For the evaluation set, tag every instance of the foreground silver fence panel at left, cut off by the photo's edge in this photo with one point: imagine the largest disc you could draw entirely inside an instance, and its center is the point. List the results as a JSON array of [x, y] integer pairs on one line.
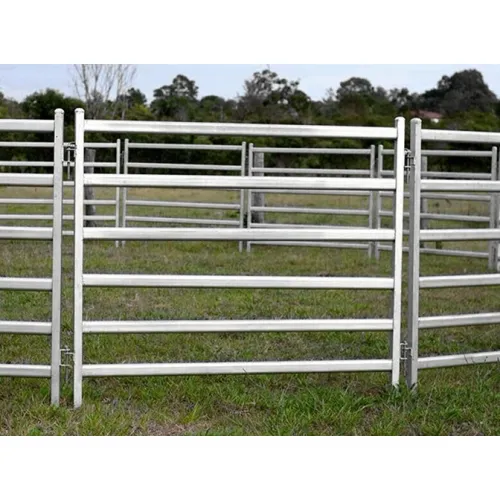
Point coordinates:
[[54, 234]]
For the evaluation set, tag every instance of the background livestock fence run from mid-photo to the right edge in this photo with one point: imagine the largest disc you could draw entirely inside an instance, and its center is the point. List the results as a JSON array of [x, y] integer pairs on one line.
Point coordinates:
[[375, 212]]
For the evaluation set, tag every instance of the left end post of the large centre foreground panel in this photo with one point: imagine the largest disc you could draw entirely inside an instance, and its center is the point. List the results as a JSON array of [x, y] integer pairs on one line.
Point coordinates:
[[79, 200]]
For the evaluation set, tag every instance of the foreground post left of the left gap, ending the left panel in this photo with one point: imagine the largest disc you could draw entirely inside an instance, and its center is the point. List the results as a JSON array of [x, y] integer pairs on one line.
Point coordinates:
[[57, 229]]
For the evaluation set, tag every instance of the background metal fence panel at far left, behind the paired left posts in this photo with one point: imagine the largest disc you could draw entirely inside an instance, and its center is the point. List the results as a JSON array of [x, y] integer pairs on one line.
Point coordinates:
[[15, 165]]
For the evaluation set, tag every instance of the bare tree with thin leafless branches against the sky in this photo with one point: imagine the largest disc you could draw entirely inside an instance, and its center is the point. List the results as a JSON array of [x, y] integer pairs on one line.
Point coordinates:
[[100, 85]]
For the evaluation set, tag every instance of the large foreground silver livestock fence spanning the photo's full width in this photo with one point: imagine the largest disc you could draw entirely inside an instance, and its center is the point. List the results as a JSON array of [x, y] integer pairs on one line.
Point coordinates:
[[403, 349]]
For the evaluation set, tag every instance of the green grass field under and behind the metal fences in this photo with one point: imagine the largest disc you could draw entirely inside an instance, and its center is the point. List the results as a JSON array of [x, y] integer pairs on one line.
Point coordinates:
[[449, 401]]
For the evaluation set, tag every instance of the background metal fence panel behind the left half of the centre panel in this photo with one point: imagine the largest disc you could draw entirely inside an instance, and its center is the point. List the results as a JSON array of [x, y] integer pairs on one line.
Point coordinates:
[[214, 169]]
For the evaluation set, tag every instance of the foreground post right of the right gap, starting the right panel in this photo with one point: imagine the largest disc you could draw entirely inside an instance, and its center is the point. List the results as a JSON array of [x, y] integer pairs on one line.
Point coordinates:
[[411, 358]]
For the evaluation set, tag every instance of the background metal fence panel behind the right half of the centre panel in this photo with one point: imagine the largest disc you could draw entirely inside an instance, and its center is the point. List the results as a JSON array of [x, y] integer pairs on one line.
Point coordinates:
[[253, 207]]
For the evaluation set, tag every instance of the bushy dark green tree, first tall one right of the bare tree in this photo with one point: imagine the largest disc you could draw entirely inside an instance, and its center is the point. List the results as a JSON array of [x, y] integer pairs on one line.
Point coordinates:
[[176, 101]]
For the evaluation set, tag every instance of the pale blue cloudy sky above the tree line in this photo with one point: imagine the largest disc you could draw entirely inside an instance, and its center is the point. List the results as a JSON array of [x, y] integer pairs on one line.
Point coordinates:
[[226, 80]]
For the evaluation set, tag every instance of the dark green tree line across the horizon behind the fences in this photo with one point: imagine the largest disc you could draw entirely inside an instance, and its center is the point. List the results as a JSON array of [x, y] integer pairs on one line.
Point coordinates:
[[462, 101]]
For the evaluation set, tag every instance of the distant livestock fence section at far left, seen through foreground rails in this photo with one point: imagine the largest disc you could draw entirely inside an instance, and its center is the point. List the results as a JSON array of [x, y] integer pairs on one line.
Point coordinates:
[[24, 166]]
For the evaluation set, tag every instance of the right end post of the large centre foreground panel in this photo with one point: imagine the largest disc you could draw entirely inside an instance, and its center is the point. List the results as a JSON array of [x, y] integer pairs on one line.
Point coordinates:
[[397, 262]]
